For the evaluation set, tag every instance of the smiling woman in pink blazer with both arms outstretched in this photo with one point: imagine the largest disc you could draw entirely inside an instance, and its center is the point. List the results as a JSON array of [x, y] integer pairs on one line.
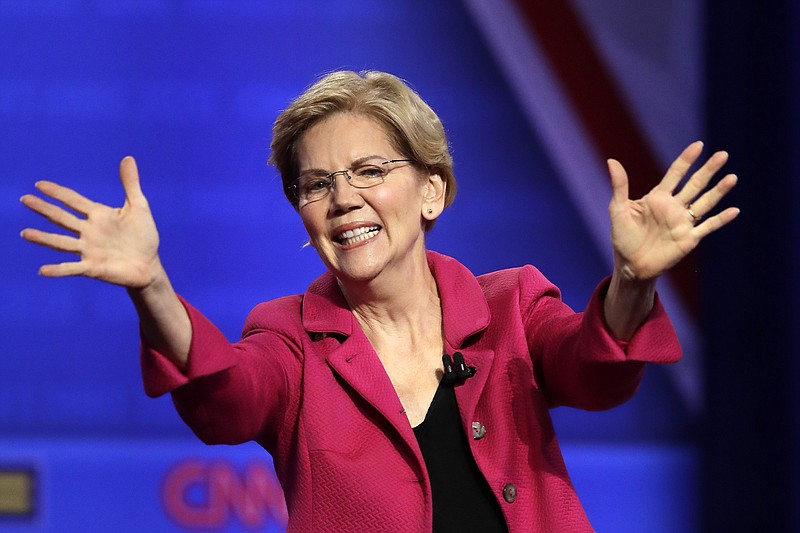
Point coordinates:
[[346, 386]]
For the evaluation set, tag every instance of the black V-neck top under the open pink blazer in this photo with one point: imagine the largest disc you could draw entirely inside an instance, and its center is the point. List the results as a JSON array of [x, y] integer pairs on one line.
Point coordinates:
[[462, 499]]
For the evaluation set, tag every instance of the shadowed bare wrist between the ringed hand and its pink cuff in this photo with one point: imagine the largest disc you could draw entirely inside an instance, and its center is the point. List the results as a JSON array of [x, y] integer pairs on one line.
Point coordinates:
[[627, 304]]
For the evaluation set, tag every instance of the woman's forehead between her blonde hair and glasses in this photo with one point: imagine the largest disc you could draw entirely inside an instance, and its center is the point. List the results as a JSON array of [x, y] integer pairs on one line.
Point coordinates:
[[342, 138]]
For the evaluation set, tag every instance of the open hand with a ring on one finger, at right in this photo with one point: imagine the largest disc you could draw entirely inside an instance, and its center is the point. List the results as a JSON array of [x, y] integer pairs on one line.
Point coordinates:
[[652, 234]]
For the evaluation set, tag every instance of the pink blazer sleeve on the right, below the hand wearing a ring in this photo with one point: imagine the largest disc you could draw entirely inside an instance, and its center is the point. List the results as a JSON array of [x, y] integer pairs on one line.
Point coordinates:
[[577, 360]]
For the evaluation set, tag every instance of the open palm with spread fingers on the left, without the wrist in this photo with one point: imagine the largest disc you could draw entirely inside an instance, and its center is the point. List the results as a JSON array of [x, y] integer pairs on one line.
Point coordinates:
[[117, 245]]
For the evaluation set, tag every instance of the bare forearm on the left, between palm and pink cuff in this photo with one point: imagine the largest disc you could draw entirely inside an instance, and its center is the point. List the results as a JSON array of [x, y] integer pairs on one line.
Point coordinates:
[[164, 322]]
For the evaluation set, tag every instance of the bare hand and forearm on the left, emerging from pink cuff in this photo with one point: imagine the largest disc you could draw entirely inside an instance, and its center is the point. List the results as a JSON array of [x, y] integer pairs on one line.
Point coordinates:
[[118, 245]]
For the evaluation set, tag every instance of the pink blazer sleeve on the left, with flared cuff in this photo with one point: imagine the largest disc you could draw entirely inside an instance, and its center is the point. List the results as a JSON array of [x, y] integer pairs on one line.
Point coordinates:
[[231, 392]]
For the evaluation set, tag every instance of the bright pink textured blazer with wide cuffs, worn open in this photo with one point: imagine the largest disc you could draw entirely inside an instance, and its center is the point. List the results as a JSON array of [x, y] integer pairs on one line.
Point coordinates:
[[305, 383]]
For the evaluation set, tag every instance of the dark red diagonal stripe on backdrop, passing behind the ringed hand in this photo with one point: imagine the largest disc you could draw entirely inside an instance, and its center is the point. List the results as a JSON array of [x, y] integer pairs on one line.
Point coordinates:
[[596, 99]]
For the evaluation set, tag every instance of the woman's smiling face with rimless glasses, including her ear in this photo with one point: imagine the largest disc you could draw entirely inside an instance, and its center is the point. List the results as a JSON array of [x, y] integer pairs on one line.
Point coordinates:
[[361, 234]]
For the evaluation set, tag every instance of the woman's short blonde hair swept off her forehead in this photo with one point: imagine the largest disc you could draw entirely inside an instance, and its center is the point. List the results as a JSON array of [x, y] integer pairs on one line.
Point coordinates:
[[412, 126]]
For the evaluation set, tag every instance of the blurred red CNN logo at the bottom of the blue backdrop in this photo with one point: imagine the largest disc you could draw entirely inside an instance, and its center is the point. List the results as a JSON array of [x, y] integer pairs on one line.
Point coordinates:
[[203, 494]]
